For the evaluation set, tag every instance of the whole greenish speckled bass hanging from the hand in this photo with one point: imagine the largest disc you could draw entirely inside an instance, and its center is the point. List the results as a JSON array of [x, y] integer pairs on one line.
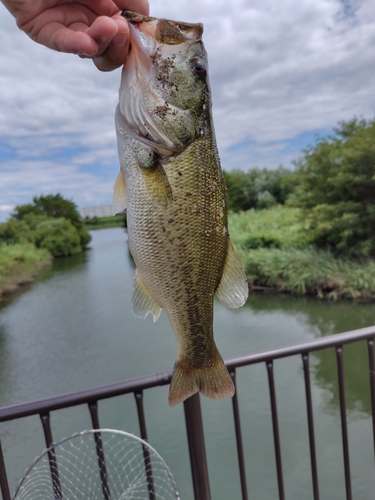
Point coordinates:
[[173, 189]]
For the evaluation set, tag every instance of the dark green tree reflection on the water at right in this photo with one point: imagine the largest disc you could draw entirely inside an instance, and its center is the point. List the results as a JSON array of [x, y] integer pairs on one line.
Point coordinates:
[[323, 318]]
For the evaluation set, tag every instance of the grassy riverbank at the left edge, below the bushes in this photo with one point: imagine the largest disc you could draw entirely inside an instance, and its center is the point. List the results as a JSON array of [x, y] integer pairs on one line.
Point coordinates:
[[19, 265]]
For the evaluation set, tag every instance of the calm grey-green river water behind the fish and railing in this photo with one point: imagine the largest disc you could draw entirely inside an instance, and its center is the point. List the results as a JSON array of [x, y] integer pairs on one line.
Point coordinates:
[[73, 329]]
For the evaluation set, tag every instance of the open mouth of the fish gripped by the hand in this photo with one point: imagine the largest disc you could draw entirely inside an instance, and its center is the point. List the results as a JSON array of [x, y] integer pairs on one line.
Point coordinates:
[[165, 31]]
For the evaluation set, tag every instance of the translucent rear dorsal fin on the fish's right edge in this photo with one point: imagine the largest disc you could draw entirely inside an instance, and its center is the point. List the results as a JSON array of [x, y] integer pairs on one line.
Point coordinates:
[[233, 288]]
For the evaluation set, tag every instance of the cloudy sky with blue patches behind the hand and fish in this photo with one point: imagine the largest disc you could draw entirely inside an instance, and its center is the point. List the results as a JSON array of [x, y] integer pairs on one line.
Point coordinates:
[[282, 72]]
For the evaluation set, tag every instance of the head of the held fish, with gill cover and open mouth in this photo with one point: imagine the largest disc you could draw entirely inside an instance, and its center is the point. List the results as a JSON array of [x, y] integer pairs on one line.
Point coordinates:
[[164, 92]]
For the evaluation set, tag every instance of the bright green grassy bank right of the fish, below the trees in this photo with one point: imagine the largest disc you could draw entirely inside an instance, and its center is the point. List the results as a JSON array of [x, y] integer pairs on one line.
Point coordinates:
[[276, 254]]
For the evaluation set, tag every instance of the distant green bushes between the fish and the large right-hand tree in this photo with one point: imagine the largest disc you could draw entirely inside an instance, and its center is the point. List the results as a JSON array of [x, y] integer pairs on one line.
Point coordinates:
[[257, 188]]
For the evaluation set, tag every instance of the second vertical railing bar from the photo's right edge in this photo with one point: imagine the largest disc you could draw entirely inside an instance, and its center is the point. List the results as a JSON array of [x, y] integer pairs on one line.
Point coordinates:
[[344, 427]]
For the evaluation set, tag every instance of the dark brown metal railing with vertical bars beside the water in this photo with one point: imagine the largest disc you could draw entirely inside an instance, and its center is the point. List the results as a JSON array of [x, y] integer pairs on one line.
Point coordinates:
[[193, 415]]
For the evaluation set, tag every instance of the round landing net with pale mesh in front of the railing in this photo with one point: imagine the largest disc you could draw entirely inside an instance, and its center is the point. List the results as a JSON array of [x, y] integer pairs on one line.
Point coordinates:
[[96, 465]]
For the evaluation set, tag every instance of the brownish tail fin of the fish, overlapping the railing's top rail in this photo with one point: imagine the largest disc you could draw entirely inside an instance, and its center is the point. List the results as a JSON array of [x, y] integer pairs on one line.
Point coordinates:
[[212, 380]]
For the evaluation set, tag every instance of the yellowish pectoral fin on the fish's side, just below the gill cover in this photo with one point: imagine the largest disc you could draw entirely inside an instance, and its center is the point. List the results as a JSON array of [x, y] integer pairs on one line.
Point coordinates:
[[157, 182]]
